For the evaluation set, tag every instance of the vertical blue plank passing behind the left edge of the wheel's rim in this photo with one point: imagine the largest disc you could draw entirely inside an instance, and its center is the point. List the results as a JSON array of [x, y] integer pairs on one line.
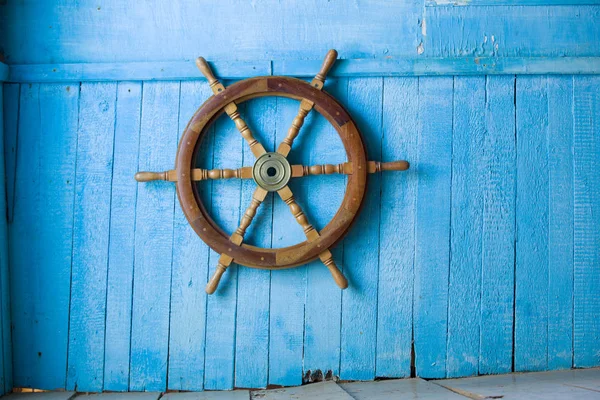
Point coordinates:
[[190, 269]]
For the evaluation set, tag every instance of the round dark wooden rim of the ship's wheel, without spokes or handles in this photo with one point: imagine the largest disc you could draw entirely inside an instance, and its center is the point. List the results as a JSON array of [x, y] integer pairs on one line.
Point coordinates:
[[204, 225]]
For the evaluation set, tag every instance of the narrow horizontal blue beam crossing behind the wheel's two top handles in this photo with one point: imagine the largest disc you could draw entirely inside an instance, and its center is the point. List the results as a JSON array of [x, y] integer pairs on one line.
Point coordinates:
[[184, 70]]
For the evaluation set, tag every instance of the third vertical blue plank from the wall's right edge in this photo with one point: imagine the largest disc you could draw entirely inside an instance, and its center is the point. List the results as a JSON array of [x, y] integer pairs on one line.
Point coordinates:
[[531, 276]]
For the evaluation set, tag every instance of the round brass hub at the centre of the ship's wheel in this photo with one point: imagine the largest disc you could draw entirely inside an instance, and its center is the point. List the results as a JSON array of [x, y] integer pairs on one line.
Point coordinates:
[[271, 171]]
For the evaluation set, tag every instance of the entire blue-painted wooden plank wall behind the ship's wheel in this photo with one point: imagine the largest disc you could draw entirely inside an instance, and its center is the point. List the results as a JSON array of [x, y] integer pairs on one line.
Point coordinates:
[[483, 258]]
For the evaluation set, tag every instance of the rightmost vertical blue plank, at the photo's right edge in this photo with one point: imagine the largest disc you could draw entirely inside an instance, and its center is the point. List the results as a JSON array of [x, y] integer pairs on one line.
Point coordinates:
[[586, 186]]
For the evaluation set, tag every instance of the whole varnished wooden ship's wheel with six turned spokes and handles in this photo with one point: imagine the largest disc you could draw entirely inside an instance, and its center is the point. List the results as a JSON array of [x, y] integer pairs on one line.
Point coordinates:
[[271, 172]]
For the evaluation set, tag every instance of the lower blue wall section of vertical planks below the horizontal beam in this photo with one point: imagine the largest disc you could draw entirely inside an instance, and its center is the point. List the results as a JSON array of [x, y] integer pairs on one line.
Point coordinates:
[[432, 258]]
